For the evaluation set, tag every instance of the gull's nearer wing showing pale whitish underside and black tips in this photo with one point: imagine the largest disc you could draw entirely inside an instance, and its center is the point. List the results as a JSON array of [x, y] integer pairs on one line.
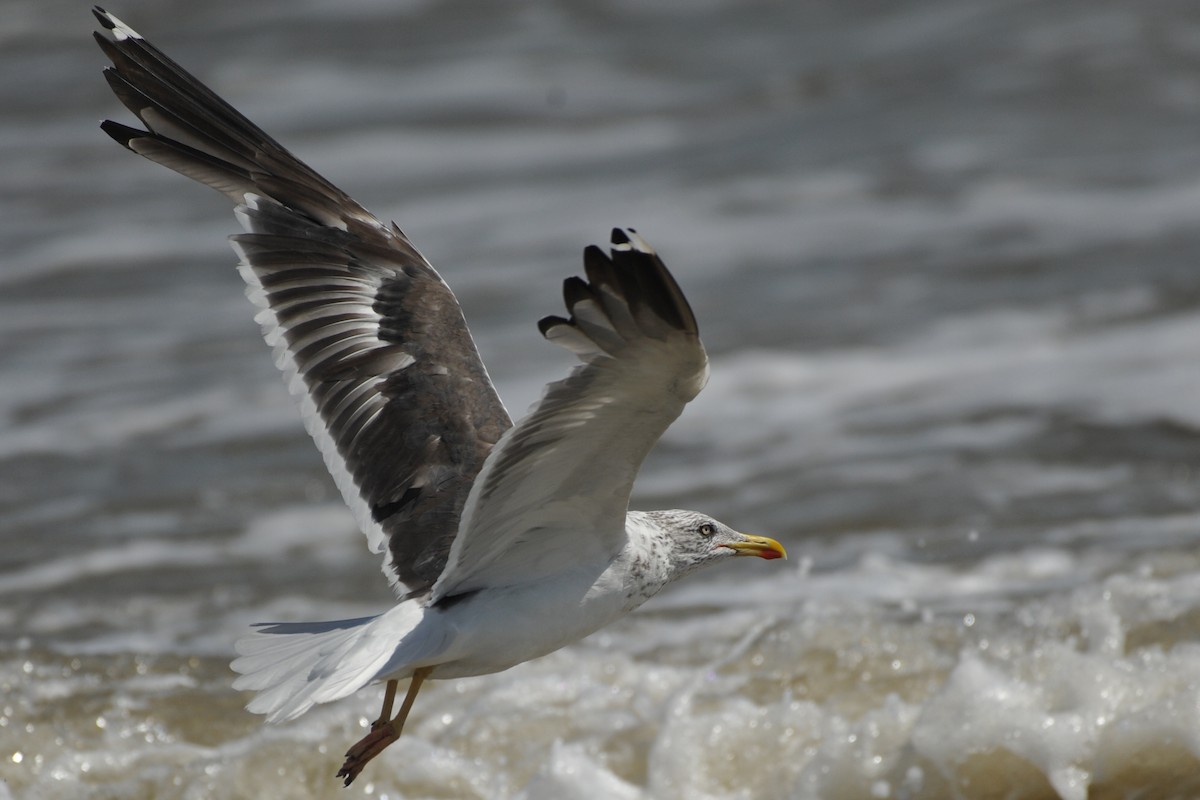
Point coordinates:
[[555, 491]]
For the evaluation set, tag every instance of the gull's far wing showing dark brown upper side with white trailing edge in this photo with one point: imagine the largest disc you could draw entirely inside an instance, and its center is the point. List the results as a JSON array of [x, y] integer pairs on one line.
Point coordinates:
[[370, 338]]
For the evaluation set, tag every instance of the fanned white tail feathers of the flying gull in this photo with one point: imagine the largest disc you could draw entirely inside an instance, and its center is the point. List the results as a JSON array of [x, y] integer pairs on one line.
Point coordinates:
[[296, 665]]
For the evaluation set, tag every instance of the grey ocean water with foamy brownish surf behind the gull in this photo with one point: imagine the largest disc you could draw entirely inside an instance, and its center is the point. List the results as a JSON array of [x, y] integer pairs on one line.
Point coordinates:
[[946, 260]]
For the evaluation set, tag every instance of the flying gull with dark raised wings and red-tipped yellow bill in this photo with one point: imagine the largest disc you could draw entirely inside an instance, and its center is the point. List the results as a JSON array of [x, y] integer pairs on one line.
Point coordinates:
[[503, 543]]
